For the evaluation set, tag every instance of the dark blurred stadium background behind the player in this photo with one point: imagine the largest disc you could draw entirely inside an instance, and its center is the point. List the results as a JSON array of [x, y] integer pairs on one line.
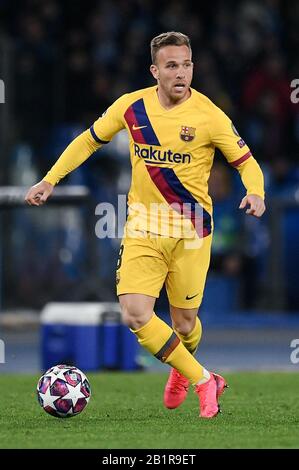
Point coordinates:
[[63, 64]]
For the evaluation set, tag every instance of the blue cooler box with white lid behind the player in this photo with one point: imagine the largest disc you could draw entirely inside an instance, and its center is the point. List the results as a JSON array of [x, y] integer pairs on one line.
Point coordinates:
[[89, 335]]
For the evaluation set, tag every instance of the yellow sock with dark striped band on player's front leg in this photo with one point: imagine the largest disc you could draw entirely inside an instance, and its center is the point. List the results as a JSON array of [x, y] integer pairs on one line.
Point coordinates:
[[160, 340]]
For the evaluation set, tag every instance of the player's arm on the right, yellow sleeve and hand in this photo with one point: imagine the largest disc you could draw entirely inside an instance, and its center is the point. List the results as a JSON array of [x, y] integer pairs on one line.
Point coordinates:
[[225, 137]]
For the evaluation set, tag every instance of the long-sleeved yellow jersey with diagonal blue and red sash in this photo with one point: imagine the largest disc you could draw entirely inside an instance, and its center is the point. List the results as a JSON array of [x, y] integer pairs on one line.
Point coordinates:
[[172, 154]]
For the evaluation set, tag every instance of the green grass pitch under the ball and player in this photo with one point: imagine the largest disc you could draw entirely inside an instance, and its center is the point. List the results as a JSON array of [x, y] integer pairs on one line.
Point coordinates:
[[260, 410]]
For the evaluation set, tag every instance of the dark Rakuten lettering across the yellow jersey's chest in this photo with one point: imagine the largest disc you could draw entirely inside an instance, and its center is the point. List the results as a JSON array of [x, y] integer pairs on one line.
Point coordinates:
[[152, 155]]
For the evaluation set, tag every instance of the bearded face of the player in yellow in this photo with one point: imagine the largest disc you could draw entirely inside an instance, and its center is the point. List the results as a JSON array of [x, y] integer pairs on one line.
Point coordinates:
[[173, 71]]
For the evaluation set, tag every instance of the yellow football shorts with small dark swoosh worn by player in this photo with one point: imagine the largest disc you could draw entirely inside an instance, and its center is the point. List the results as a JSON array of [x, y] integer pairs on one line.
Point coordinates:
[[147, 261]]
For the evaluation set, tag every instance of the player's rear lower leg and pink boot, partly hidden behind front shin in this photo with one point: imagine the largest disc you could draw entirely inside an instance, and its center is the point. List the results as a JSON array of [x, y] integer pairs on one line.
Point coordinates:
[[187, 326]]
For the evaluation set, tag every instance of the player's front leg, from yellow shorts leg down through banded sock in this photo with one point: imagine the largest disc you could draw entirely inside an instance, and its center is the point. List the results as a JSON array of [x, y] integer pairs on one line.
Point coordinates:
[[142, 268]]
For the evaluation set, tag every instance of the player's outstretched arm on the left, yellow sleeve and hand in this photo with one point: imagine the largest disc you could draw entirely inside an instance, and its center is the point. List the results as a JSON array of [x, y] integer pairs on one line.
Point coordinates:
[[81, 148]]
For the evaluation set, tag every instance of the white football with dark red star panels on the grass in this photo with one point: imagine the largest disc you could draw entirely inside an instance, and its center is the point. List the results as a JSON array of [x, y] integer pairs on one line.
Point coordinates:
[[63, 391]]
